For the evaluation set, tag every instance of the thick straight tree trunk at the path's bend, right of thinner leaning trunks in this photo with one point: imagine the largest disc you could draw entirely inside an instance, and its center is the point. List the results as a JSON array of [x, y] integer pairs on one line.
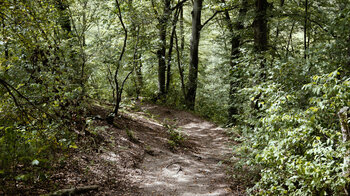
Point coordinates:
[[193, 67]]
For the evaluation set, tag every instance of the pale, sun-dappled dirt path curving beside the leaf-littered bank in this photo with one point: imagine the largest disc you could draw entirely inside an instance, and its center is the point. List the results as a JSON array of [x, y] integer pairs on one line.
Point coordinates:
[[191, 172]]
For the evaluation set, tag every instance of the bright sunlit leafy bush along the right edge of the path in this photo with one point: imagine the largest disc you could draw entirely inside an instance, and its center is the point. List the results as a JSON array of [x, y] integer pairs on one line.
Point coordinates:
[[300, 148]]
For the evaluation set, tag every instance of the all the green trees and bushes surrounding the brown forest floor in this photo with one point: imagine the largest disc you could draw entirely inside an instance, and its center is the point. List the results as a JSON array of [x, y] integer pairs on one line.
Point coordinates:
[[276, 72]]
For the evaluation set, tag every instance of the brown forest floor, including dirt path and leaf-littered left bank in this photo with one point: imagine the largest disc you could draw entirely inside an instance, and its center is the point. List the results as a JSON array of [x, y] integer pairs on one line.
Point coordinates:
[[134, 156]]
